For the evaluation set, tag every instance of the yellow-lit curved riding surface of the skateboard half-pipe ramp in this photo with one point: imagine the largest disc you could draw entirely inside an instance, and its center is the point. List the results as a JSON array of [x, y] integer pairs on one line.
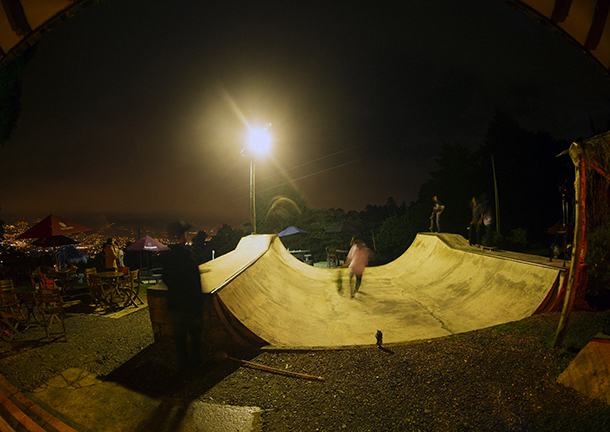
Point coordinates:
[[438, 287]]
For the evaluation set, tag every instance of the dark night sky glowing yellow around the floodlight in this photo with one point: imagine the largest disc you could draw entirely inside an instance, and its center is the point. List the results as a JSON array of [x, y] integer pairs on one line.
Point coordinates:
[[136, 111]]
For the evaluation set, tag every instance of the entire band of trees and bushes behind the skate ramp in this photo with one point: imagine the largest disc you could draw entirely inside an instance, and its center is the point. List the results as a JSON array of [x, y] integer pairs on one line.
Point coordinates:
[[528, 176]]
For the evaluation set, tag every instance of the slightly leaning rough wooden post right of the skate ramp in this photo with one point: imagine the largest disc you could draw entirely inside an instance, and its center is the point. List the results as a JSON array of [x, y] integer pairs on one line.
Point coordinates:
[[578, 248]]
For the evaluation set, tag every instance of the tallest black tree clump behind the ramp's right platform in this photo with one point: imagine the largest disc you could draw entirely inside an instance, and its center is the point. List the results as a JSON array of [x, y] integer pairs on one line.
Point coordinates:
[[527, 172]]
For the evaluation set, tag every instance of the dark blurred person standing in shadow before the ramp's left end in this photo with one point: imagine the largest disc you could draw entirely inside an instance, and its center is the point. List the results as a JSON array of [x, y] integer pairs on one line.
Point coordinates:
[[184, 301]]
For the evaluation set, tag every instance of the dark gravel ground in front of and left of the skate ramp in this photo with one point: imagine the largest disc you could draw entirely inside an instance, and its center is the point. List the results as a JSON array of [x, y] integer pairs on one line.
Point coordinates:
[[499, 379]]
